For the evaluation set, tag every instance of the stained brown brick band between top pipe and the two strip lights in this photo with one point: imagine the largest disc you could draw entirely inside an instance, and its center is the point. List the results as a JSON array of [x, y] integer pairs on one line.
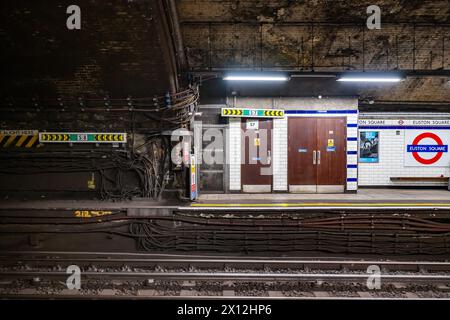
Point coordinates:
[[316, 46]]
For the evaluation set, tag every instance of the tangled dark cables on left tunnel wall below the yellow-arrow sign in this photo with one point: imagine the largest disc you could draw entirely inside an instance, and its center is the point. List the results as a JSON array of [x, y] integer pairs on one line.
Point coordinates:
[[150, 169]]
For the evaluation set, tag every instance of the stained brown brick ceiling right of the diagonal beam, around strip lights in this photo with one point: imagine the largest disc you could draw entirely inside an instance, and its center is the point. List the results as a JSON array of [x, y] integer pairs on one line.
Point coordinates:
[[319, 35]]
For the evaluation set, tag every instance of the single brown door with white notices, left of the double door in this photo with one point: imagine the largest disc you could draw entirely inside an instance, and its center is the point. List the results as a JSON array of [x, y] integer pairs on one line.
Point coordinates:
[[256, 168]]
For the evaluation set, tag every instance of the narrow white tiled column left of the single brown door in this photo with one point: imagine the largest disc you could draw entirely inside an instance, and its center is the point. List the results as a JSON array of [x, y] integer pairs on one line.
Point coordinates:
[[234, 153]]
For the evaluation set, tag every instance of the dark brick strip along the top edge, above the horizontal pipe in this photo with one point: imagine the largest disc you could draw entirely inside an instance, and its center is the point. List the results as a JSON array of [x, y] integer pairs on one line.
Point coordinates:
[[338, 11]]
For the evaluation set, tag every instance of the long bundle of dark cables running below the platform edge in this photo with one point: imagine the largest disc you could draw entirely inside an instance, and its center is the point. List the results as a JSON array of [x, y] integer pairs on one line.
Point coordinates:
[[353, 235]]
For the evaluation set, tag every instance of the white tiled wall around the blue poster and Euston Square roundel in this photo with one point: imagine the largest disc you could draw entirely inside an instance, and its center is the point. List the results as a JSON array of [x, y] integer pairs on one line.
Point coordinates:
[[391, 164]]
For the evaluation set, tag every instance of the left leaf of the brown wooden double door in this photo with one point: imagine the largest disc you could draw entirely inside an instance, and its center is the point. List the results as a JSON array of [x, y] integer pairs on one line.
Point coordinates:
[[302, 142]]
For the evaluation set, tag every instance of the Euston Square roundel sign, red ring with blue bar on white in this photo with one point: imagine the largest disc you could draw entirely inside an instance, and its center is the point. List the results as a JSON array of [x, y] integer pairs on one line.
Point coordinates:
[[427, 148]]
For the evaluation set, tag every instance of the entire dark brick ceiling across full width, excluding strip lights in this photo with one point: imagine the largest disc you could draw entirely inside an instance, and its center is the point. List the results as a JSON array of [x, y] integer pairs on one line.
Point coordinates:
[[129, 48]]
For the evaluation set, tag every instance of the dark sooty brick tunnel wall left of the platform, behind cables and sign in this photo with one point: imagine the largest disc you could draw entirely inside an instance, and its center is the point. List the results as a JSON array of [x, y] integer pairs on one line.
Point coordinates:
[[51, 77]]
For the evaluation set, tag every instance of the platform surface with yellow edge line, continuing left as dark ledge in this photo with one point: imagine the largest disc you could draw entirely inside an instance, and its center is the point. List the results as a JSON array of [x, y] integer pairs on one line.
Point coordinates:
[[364, 199]]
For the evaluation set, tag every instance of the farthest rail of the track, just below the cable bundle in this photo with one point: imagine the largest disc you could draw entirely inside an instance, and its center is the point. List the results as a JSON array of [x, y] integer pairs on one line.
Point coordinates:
[[189, 260]]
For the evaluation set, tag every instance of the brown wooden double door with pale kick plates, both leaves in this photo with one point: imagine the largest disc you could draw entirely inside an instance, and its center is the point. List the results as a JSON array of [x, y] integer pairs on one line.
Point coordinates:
[[317, 155]]
